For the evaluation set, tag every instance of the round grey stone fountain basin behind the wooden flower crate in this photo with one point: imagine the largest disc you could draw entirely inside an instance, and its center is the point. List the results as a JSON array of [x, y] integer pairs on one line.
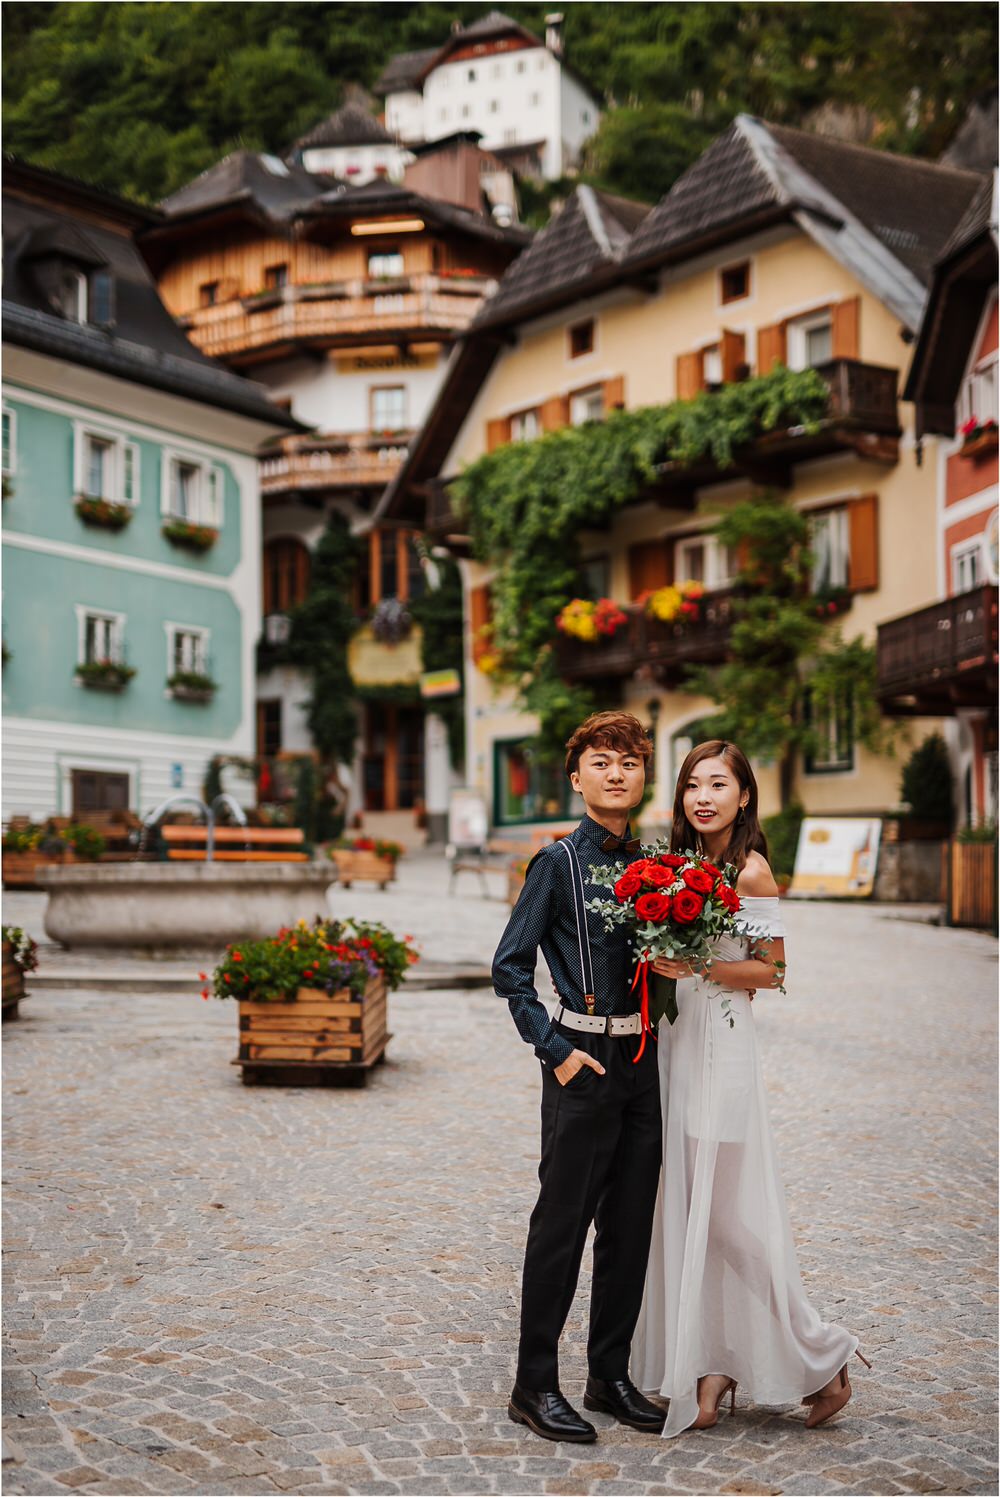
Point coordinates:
[[164, 908]]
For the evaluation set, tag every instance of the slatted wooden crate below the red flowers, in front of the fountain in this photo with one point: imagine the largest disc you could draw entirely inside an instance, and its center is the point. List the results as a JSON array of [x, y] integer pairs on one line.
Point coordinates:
[[318, 1040]]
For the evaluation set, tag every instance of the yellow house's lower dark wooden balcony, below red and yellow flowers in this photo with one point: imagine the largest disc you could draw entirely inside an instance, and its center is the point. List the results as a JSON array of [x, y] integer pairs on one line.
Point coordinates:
[[658, 650]]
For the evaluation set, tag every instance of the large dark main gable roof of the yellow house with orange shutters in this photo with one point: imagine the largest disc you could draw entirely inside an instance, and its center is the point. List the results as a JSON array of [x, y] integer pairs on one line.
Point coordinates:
[[882, 216]]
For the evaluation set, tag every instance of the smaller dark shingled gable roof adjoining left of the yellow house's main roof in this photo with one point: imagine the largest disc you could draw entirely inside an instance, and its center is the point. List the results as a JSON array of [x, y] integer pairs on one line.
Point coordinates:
[[591, 233]]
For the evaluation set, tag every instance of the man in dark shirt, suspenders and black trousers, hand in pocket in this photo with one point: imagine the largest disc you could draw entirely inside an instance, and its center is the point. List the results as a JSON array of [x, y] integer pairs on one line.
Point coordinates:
[[601, 1110]]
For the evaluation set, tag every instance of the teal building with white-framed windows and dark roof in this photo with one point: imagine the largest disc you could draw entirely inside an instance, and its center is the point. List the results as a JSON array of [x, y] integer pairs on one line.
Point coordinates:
[[132, 520]]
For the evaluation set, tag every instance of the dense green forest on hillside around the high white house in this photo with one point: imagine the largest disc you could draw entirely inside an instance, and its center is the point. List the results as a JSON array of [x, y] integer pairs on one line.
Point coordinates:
[[144, 97]]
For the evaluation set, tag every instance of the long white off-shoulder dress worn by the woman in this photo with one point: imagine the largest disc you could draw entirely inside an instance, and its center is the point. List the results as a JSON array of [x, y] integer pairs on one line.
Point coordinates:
[[724, 1291]]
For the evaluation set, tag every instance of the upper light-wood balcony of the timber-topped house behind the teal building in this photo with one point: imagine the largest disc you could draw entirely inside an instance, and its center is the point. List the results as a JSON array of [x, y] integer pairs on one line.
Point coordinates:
[[335, 314]]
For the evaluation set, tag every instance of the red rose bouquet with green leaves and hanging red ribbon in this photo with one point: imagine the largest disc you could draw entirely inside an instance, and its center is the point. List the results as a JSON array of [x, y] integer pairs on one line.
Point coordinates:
[[676, 905]]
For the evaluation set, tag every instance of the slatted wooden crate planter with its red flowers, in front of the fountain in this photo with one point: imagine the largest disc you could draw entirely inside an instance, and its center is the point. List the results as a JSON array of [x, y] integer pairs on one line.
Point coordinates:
[[314, 999]]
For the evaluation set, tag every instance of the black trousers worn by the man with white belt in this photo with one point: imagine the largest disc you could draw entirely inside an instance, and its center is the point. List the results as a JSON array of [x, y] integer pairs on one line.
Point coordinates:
[[601, 1162]]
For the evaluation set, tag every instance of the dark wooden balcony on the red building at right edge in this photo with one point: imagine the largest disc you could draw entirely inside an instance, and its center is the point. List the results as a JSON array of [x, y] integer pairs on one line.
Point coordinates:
[[942, 658]]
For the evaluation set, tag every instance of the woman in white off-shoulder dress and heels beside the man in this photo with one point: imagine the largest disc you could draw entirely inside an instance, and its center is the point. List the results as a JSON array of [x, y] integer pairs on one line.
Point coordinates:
[[724, 1299]]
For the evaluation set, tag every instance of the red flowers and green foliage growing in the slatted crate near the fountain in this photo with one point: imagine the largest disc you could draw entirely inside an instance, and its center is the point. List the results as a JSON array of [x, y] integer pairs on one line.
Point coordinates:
[[327, 956]]
